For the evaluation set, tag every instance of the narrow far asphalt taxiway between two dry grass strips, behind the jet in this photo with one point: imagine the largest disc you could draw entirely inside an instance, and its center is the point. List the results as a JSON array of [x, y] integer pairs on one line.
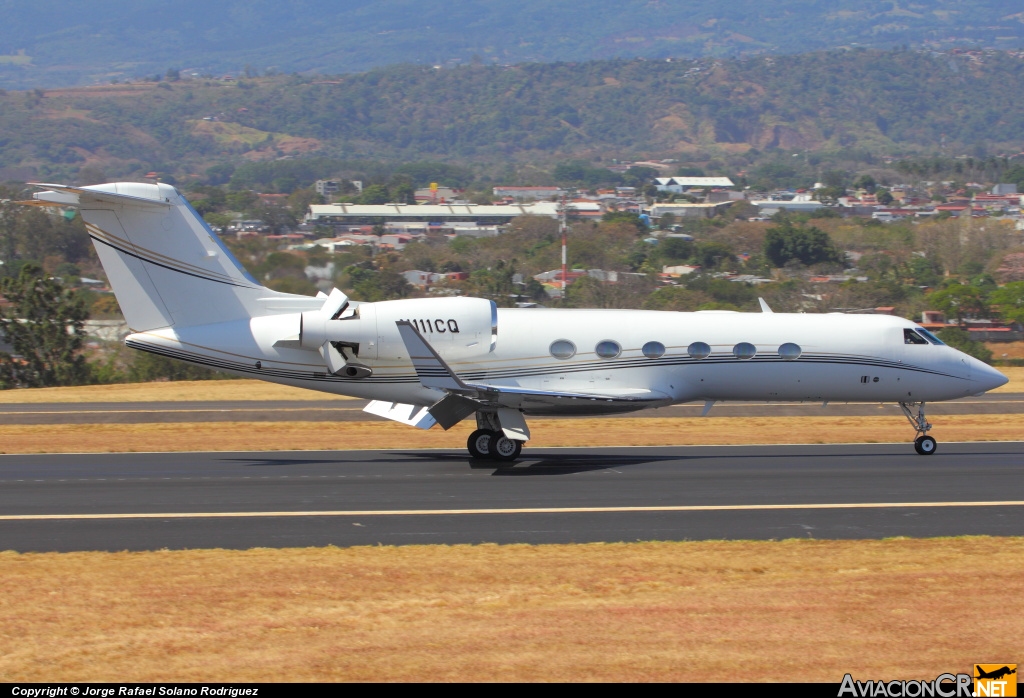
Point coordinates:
[[352, 411]]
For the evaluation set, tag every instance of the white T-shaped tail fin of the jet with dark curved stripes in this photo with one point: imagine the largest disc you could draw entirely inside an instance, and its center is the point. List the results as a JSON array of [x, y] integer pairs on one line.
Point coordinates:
[[165, 266]]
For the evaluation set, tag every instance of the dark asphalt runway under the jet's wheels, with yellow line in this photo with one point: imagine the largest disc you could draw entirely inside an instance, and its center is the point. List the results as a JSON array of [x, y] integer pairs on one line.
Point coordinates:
[[296, 499]]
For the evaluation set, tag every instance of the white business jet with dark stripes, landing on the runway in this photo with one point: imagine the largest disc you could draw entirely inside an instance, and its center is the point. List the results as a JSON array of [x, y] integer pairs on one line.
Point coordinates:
[[440, 361]]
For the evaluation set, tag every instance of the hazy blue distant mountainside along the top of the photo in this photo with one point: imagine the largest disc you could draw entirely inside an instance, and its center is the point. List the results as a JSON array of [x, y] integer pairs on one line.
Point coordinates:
[[52, 43]]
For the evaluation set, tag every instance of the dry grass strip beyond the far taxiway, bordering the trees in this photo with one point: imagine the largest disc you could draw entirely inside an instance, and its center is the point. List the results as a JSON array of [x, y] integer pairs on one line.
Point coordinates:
[[239, 390]]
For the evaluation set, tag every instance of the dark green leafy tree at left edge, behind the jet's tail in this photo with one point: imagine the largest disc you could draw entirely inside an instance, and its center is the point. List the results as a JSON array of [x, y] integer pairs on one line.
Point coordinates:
[[45, 325]]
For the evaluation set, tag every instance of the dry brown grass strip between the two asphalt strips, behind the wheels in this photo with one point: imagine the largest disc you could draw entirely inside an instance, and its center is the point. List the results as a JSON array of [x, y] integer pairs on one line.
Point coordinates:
[[589, 432]]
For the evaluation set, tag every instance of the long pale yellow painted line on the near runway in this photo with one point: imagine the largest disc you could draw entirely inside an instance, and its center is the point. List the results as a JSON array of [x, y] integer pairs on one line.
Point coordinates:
[[486, 512]]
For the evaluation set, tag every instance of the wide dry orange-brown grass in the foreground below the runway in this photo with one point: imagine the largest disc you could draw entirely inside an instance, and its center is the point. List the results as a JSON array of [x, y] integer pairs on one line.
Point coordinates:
[[795, 610]]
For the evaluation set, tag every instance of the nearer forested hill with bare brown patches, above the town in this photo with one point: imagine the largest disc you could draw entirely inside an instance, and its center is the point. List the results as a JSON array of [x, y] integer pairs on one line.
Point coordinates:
[[875, 102]]
